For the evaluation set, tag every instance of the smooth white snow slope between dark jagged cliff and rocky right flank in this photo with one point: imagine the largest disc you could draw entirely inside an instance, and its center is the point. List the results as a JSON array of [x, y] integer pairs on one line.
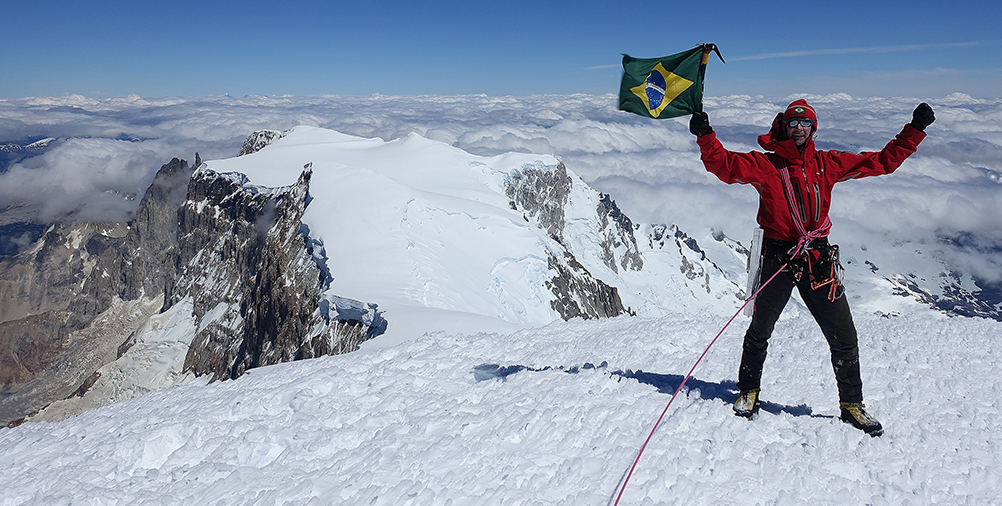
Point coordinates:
[[406, 209]]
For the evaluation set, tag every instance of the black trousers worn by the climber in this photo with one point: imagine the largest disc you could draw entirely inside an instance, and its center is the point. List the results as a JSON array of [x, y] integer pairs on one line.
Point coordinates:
[[834, 318]]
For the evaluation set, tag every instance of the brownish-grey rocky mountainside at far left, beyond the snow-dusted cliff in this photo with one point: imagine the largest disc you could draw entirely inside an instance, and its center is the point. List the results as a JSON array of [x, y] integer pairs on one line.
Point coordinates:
[[53, 295]]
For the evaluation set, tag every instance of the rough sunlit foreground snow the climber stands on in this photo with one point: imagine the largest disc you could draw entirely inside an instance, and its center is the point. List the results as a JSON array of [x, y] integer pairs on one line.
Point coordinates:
[[412, 425]]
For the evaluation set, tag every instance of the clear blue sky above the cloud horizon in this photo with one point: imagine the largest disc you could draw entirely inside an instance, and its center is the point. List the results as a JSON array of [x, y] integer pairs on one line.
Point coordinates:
[[516, 48]]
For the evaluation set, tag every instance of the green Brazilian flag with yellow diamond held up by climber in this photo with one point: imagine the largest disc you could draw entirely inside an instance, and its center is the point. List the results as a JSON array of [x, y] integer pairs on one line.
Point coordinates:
[[664, 88]]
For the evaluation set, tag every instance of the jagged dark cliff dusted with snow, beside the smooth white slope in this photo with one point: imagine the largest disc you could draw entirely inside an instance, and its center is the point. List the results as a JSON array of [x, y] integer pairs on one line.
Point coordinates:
[[247, 262]]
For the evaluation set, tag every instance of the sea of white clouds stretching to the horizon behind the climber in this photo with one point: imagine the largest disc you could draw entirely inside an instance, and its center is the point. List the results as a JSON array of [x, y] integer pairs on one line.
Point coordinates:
[[946, 200]]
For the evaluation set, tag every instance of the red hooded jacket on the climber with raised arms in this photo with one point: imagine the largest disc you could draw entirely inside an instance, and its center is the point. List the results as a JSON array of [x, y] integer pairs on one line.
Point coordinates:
[[812, 175]]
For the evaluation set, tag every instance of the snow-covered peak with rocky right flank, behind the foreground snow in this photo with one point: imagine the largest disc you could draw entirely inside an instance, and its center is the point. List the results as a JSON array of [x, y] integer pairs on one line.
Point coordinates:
[[441, 240]]
